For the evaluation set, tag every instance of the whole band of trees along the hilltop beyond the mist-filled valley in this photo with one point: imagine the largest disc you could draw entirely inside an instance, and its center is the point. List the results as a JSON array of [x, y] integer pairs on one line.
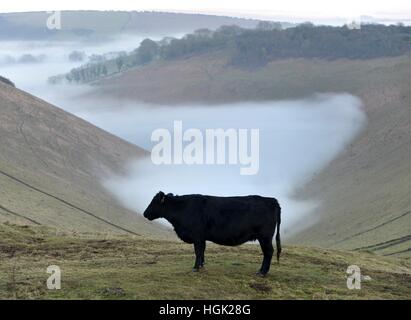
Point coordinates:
[[256, 47]]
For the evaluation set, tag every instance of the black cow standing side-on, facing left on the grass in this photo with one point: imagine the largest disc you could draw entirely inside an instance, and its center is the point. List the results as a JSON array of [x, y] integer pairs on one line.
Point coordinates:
[[227, 221]]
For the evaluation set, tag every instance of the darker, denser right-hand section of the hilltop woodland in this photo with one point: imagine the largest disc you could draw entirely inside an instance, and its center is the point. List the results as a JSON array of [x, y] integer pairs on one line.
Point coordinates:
[[257, 47]]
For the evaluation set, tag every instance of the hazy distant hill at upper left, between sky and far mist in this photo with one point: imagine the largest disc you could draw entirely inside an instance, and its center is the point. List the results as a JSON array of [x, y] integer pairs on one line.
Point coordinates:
[[100, 24]]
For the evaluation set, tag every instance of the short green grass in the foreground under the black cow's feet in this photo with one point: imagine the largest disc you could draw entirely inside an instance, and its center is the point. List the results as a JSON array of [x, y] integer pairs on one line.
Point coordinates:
[[94, 267]]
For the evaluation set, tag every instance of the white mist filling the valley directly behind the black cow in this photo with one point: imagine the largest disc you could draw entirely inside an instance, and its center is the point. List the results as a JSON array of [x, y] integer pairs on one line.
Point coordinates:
[[297, 139]]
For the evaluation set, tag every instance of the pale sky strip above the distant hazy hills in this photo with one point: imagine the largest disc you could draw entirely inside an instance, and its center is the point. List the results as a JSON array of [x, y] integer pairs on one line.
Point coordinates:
[[393, 9]]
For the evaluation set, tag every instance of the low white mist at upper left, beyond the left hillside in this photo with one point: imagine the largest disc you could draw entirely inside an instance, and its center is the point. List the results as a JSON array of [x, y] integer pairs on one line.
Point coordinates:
[[50, 58]]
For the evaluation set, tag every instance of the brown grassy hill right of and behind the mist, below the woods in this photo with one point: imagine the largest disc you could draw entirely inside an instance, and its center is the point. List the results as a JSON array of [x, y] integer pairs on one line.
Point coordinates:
[[365, 192]]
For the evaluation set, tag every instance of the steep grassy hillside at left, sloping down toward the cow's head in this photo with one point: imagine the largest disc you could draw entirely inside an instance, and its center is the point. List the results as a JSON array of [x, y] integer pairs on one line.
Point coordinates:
[[51, 165]]
